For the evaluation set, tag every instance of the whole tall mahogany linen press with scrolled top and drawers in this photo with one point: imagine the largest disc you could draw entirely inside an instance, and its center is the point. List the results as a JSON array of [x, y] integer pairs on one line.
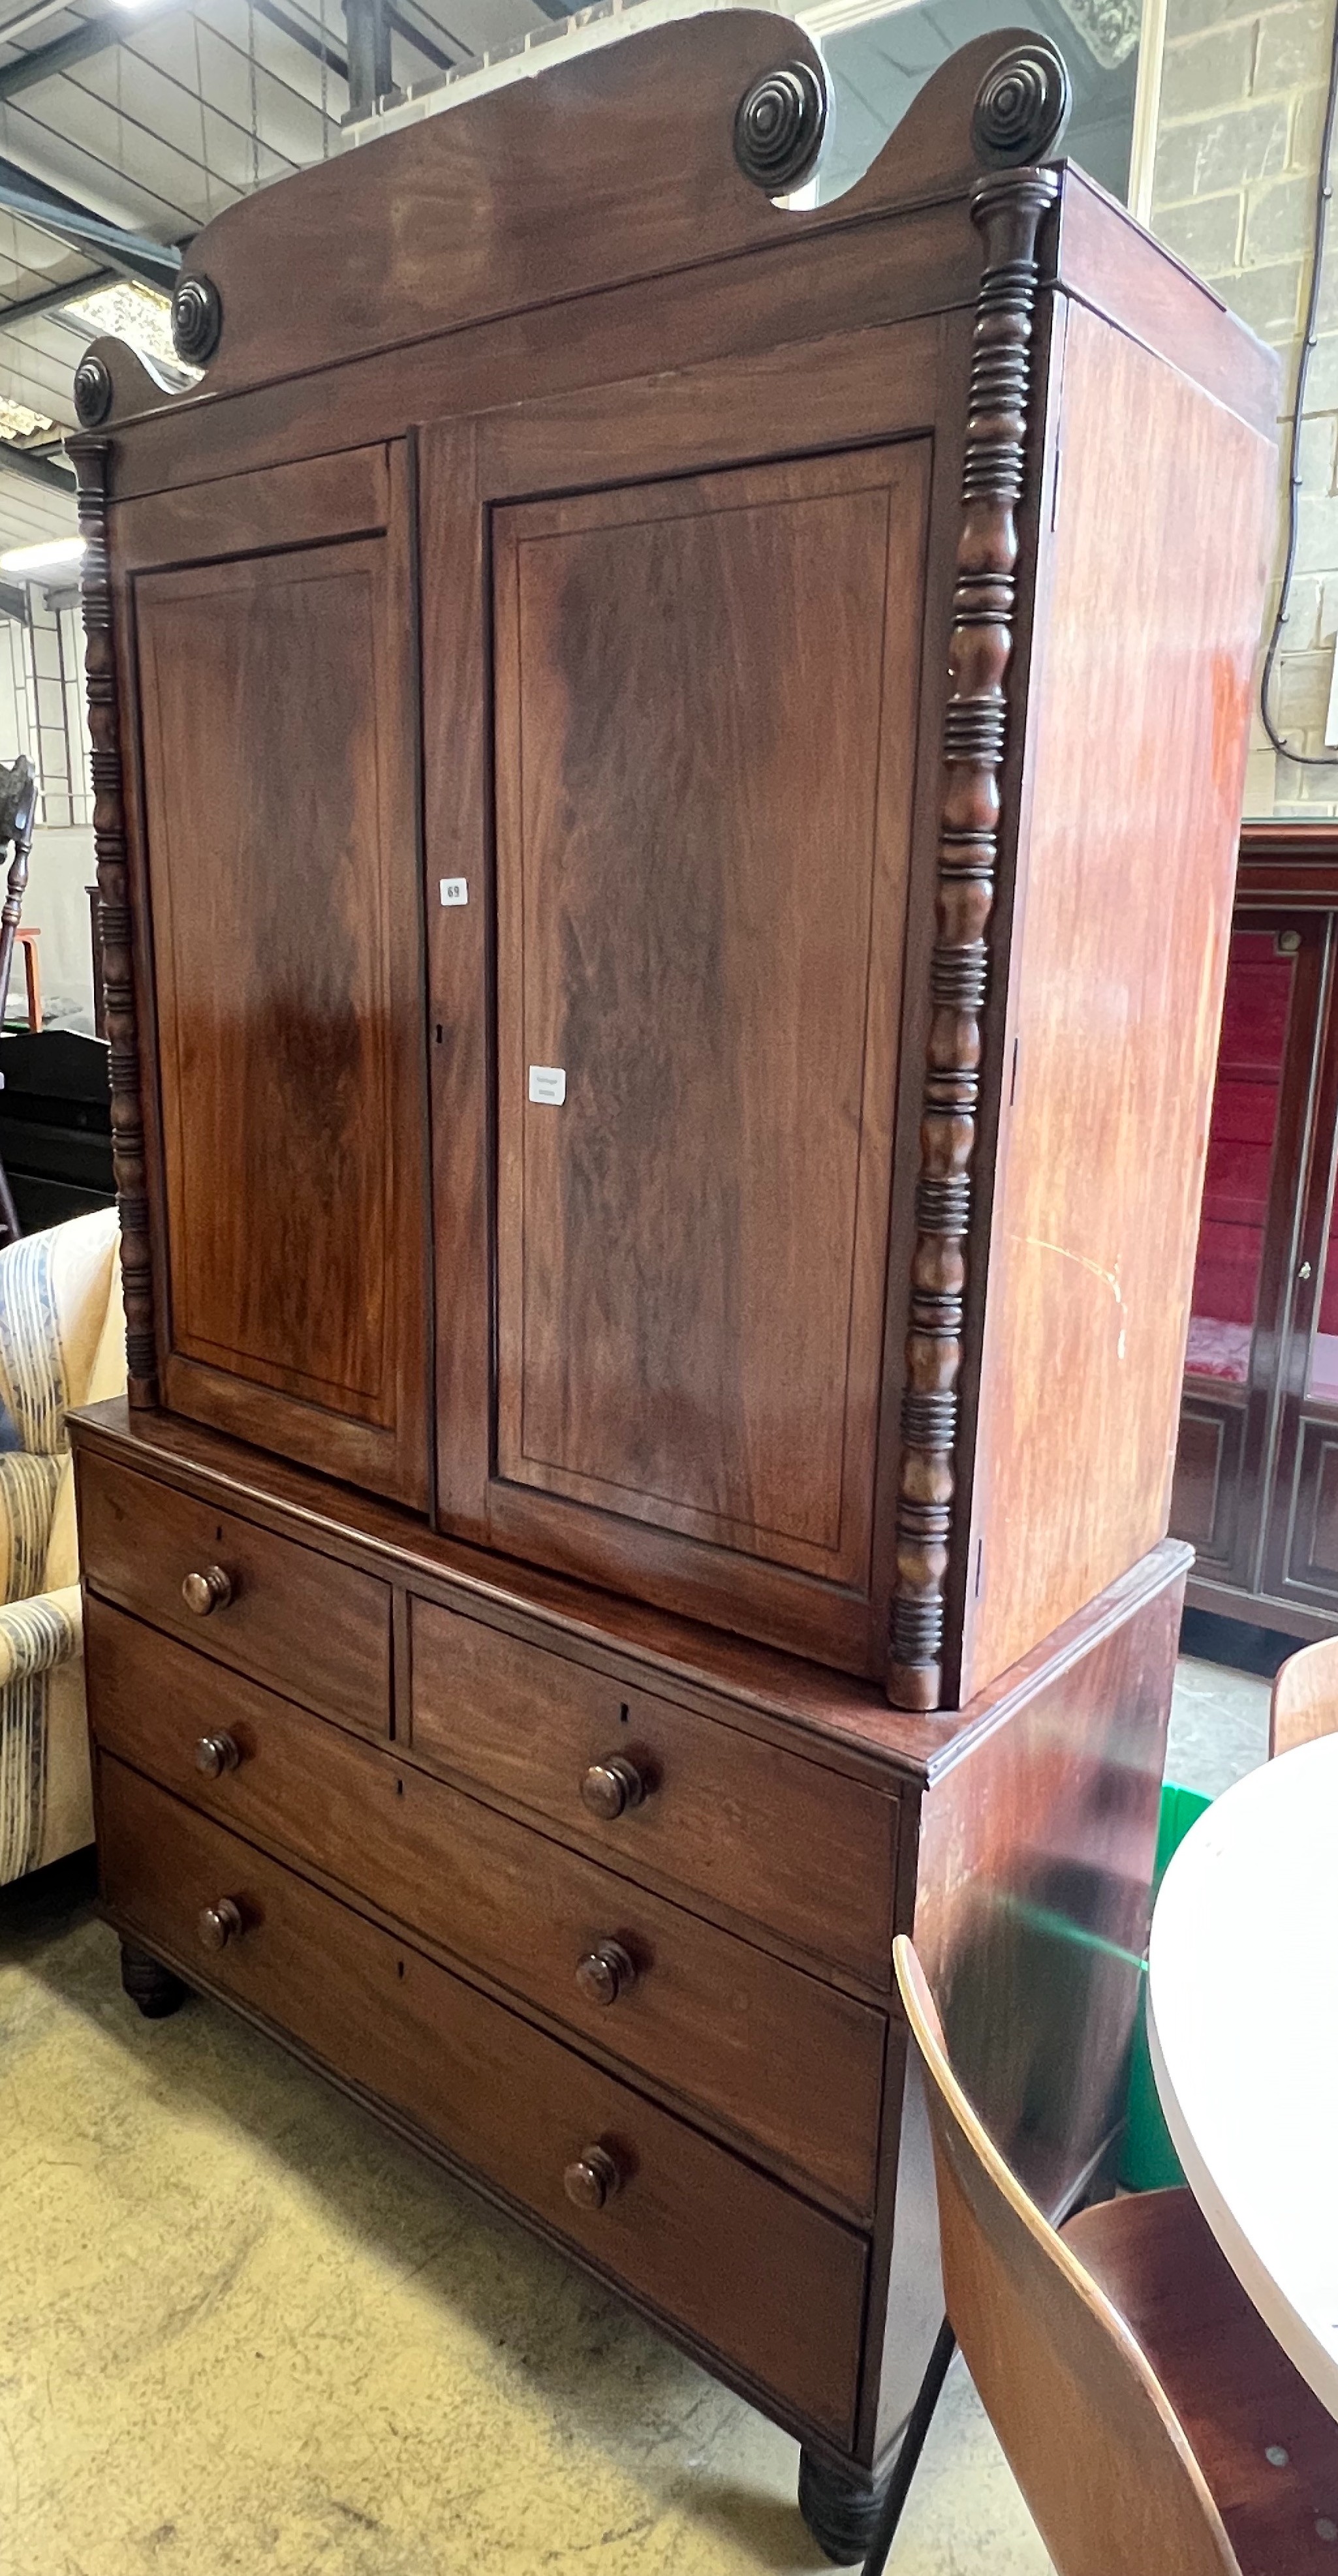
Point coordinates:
[[666, 792]]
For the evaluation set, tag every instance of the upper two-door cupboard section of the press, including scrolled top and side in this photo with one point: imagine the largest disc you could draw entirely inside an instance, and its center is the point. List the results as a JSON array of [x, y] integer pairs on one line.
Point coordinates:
[[705, 568]]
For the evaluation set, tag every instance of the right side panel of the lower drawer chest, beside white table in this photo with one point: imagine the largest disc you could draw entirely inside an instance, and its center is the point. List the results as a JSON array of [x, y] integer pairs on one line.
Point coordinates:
[[1035, 1877]]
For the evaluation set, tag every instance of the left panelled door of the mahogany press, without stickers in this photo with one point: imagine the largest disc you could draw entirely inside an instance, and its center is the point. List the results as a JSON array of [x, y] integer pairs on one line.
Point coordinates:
[[277, 694]]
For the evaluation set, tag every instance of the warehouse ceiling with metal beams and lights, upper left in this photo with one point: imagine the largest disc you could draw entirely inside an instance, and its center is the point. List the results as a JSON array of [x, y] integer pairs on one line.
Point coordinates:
[[125, 128]]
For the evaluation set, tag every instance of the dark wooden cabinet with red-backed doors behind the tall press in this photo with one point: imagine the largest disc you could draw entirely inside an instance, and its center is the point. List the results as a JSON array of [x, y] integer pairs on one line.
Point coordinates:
[[1257, 1472]]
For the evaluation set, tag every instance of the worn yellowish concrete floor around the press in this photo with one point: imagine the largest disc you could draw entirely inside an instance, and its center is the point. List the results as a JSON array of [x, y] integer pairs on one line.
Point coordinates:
[[246, 2335]]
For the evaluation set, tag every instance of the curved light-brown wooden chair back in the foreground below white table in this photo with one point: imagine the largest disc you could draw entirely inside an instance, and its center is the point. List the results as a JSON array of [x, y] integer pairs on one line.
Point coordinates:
[[1089, 2430]]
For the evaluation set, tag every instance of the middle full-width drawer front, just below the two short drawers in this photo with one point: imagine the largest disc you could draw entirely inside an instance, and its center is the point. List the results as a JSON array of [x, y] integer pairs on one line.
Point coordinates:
[[775, 2052]]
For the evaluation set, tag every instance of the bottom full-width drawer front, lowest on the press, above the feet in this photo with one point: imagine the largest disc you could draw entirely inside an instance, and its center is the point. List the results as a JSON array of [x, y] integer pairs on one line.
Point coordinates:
[[728, 2255]]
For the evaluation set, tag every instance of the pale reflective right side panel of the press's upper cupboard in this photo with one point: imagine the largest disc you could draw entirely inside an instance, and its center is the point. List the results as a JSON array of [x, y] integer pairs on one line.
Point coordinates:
[[1154, 586]]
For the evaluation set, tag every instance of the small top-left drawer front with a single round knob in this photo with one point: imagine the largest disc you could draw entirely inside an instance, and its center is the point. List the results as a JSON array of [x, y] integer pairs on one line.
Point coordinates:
[[295, 1619]]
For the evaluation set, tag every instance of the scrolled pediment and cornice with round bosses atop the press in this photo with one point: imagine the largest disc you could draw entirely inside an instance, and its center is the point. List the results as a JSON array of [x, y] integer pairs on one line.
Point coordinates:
[[669, 151]]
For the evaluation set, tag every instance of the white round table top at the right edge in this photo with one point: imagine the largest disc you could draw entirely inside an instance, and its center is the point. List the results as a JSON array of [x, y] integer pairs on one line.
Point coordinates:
[[1244, 2036]]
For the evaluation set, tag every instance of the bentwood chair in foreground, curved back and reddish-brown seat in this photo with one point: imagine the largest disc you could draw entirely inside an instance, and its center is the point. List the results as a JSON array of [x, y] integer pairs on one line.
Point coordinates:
[[1149, 2415]]
